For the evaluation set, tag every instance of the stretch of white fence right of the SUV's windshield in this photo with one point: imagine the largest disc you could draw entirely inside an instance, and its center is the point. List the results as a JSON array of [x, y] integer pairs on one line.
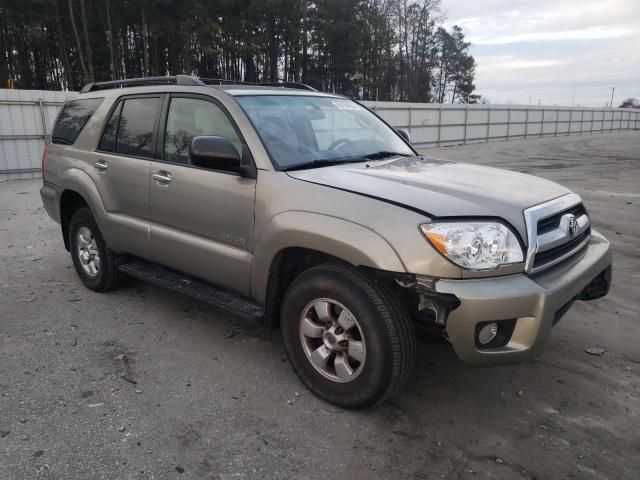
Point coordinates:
[[432, 125]]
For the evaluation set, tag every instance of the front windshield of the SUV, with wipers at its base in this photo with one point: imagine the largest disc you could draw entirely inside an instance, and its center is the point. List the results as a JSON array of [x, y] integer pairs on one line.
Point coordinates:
[[297, 130]]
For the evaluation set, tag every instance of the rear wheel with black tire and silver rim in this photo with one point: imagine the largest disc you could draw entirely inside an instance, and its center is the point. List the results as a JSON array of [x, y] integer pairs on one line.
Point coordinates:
[[103, 277]]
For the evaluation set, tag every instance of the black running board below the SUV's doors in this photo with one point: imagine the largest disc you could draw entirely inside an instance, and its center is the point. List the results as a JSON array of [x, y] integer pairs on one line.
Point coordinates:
[[165, 277]]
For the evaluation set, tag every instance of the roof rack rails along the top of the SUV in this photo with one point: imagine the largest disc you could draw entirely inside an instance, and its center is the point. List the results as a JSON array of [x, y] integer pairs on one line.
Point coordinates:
[[185, 80]]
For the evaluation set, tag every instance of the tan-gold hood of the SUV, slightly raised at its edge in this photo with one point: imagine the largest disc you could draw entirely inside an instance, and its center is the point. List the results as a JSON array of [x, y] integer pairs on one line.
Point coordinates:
[[439, 188]]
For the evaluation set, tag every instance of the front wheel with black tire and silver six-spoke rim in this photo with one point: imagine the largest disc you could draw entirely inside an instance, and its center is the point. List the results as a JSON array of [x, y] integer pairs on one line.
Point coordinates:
[[378, 351]]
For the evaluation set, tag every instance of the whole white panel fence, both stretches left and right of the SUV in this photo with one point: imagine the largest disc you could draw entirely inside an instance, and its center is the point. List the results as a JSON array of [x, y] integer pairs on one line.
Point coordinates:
[[26, 118]]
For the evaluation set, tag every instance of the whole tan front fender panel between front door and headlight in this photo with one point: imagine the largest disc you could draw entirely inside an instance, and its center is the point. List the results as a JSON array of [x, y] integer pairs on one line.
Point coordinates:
[[357, 229]]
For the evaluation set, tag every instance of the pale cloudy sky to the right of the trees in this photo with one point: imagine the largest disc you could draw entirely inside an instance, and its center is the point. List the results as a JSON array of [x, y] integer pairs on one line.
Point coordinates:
[[553, 52]]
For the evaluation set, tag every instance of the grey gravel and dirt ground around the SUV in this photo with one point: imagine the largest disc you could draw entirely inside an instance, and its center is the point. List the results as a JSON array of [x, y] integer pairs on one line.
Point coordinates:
[[216, 399]]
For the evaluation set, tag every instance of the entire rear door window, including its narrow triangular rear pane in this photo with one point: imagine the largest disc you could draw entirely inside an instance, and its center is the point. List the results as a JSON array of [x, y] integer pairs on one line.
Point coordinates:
[[131, 126]]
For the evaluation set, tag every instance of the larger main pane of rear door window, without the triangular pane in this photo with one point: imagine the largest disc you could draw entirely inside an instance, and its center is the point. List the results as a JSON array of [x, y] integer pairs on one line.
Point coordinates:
[[136, 126]]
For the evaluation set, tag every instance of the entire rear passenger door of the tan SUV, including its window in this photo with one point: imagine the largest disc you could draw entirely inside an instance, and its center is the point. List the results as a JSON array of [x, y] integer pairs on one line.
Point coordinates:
[[121, 167]]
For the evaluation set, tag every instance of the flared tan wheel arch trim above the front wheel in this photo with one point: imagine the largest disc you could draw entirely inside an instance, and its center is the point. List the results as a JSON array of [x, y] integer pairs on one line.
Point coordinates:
[[351, 242]]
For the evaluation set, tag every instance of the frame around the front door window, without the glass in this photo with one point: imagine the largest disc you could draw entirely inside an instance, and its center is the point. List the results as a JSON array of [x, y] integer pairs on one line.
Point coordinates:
[[162, 131]]
